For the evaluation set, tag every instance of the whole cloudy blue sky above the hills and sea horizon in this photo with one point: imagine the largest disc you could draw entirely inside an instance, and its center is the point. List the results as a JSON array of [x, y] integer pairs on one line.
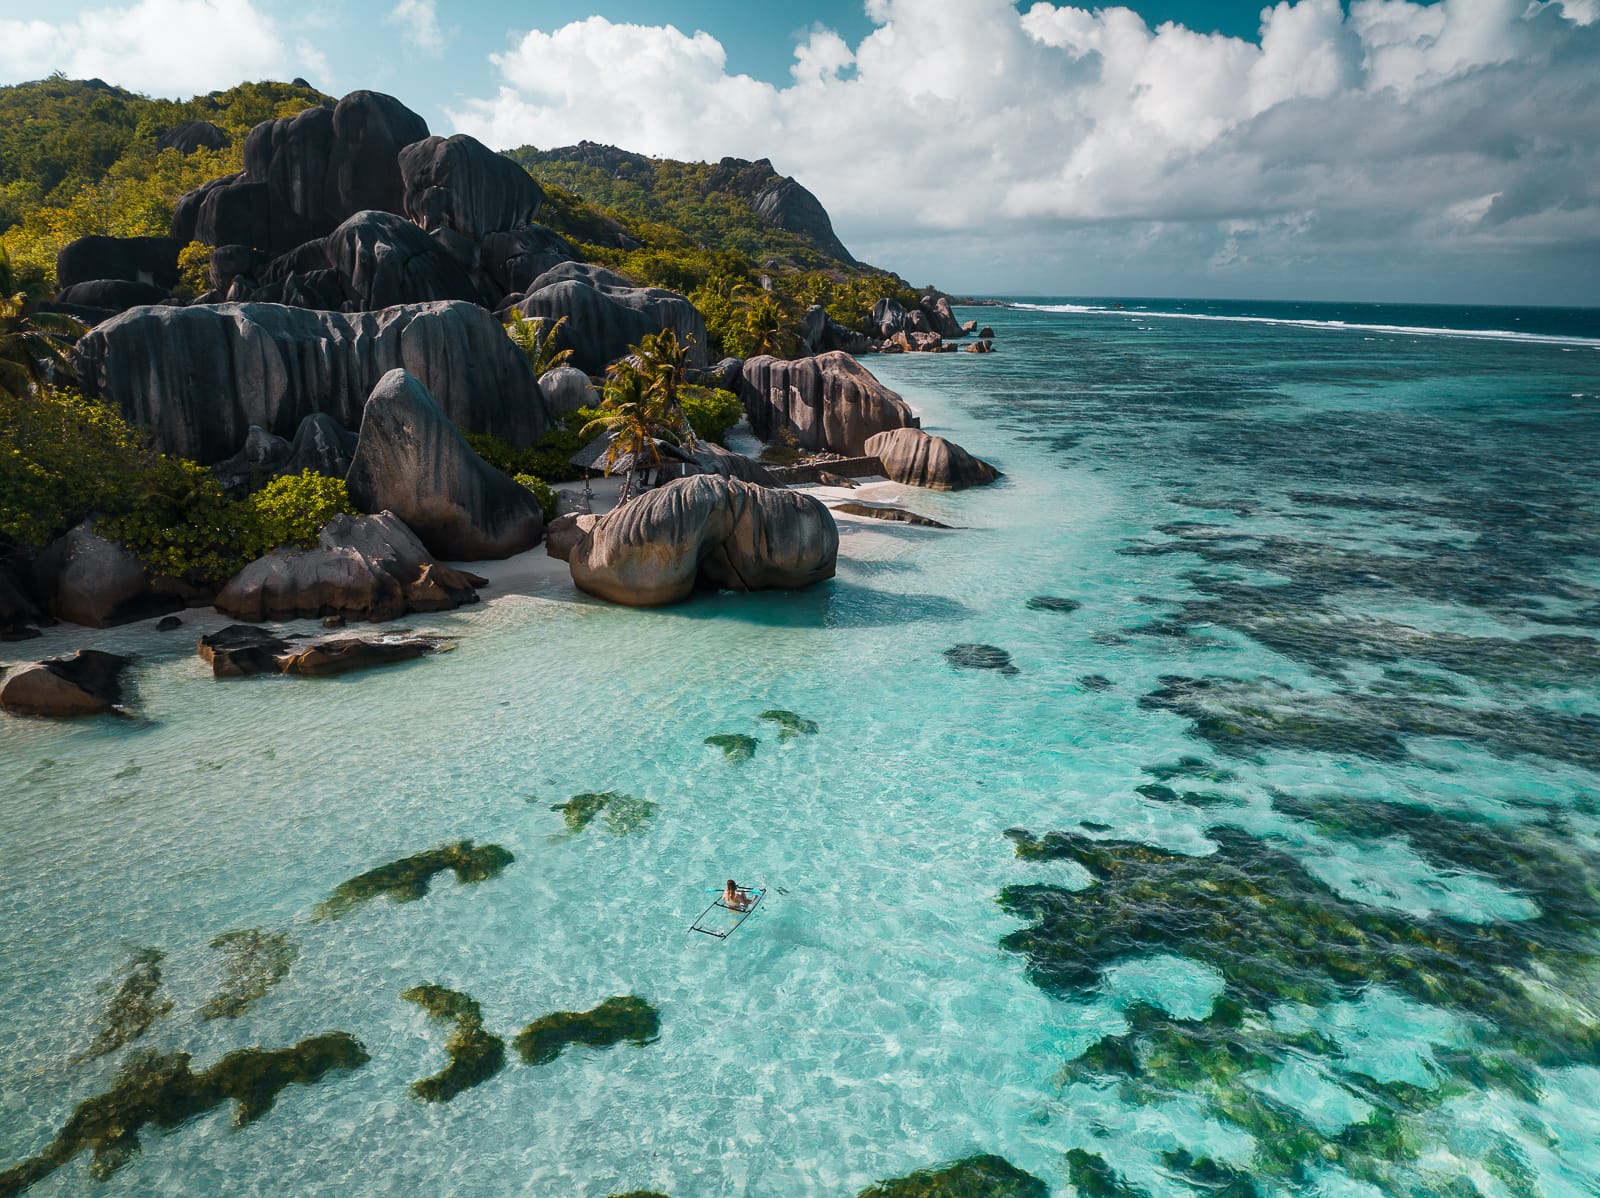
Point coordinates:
[[1372, 150]]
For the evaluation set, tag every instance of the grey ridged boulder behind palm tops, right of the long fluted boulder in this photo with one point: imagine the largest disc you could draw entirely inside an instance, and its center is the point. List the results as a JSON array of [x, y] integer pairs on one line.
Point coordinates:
[[607, 314]]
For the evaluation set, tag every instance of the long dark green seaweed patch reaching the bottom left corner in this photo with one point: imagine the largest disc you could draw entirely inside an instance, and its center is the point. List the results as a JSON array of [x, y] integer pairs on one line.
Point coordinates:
[[159, 1088]]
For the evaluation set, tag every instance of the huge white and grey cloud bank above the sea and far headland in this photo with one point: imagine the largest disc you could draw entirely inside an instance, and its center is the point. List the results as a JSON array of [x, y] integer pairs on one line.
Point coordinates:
[[1332, 134]]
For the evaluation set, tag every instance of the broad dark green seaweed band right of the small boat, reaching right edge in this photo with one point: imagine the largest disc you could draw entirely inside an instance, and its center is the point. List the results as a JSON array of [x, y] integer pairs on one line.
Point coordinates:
[[1278, 935]]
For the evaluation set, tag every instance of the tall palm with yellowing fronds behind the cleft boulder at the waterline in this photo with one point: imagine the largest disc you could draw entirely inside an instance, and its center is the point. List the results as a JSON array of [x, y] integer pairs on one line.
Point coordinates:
[[641, 407]]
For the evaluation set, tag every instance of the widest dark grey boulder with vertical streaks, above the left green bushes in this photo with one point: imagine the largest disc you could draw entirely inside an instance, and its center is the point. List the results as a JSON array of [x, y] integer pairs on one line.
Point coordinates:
[[199, 377]]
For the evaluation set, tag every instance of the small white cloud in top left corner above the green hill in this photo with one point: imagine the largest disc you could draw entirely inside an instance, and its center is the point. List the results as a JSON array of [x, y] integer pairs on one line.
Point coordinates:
[[159, 47]]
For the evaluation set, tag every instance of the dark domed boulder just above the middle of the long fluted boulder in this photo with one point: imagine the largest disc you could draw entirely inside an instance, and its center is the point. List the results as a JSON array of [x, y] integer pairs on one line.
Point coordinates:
[[386, 262]]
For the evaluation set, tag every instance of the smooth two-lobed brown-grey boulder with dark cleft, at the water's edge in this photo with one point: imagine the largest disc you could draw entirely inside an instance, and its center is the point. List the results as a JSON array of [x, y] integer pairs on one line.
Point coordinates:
[[710, 530]]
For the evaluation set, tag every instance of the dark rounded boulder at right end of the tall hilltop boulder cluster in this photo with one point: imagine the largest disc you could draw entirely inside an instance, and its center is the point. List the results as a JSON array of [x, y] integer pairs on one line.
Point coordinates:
[[460, 183]]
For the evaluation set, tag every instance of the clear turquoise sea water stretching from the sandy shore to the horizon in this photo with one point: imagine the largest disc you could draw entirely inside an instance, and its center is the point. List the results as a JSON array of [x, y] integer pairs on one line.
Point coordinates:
[[1353, 572]]
